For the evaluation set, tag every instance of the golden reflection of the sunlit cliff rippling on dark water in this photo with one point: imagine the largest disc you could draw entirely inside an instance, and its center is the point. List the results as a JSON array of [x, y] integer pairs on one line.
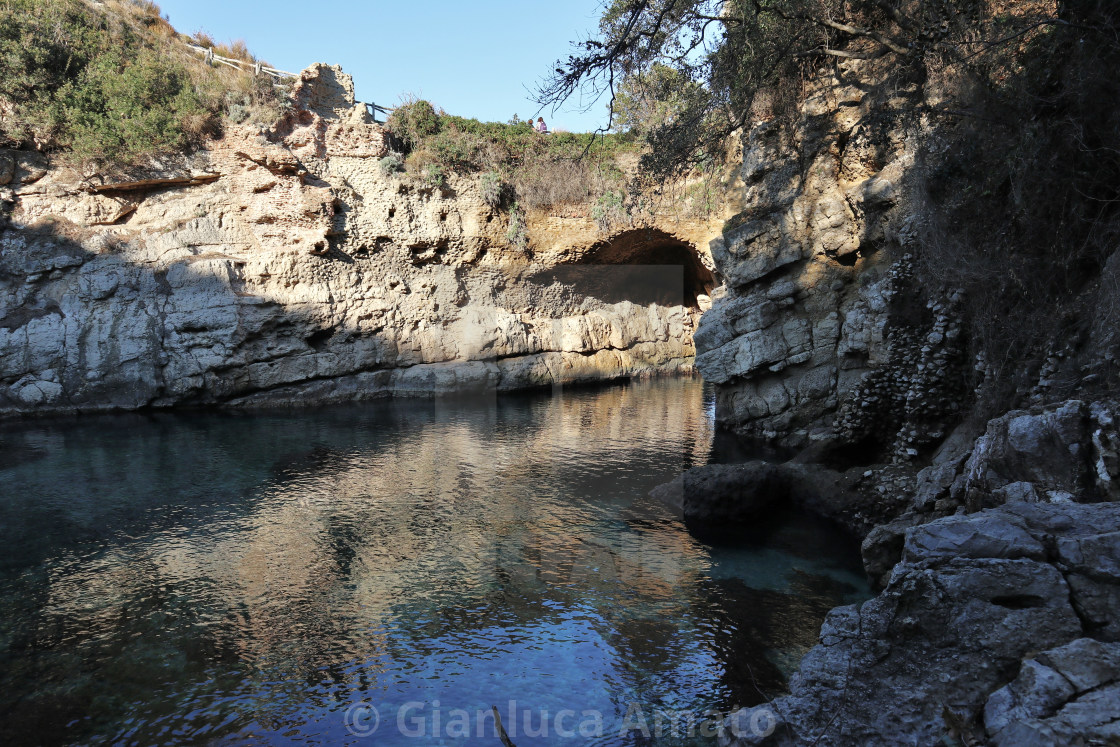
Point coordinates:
[[472, 502]]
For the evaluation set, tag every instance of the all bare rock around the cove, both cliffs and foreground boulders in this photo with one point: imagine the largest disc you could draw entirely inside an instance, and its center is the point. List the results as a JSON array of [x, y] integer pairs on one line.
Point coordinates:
[[286, 267]]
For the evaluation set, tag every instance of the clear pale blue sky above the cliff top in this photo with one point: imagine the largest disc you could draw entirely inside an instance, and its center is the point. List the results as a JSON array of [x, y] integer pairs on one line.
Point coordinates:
[[473, 58]]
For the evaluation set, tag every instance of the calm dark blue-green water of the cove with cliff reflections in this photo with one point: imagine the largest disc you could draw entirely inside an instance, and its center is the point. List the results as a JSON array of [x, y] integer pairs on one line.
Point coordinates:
[[302, 577]]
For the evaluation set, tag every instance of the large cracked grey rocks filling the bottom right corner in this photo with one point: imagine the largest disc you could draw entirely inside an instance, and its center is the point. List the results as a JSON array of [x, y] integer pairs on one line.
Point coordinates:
[[950, 649]]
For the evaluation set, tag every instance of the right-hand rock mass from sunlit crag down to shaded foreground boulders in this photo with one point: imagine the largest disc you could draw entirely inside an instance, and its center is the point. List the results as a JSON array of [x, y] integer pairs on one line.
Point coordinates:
[[995, 540]]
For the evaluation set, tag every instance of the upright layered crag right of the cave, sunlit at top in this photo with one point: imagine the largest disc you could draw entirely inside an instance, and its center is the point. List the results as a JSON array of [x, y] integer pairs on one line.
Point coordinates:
[[819, 334]]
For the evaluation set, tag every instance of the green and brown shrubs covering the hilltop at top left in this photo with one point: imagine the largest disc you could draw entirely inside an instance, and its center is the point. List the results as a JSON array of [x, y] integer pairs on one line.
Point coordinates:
[[113, 83]]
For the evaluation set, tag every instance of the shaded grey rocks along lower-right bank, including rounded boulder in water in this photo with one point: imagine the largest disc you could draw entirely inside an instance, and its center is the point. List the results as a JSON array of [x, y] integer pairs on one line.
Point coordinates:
[[996, 623]]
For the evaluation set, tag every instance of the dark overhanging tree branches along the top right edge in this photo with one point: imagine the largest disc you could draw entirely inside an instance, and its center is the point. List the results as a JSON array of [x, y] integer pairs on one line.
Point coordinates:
[[734, 50]]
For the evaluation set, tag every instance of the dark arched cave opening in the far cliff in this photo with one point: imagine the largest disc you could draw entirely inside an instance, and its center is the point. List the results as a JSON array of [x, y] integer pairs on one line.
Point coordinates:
[[641, 266]]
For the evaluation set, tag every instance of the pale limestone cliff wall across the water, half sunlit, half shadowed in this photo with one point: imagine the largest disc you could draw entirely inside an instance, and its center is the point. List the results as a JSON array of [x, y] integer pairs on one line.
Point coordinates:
[[288, 266]]
